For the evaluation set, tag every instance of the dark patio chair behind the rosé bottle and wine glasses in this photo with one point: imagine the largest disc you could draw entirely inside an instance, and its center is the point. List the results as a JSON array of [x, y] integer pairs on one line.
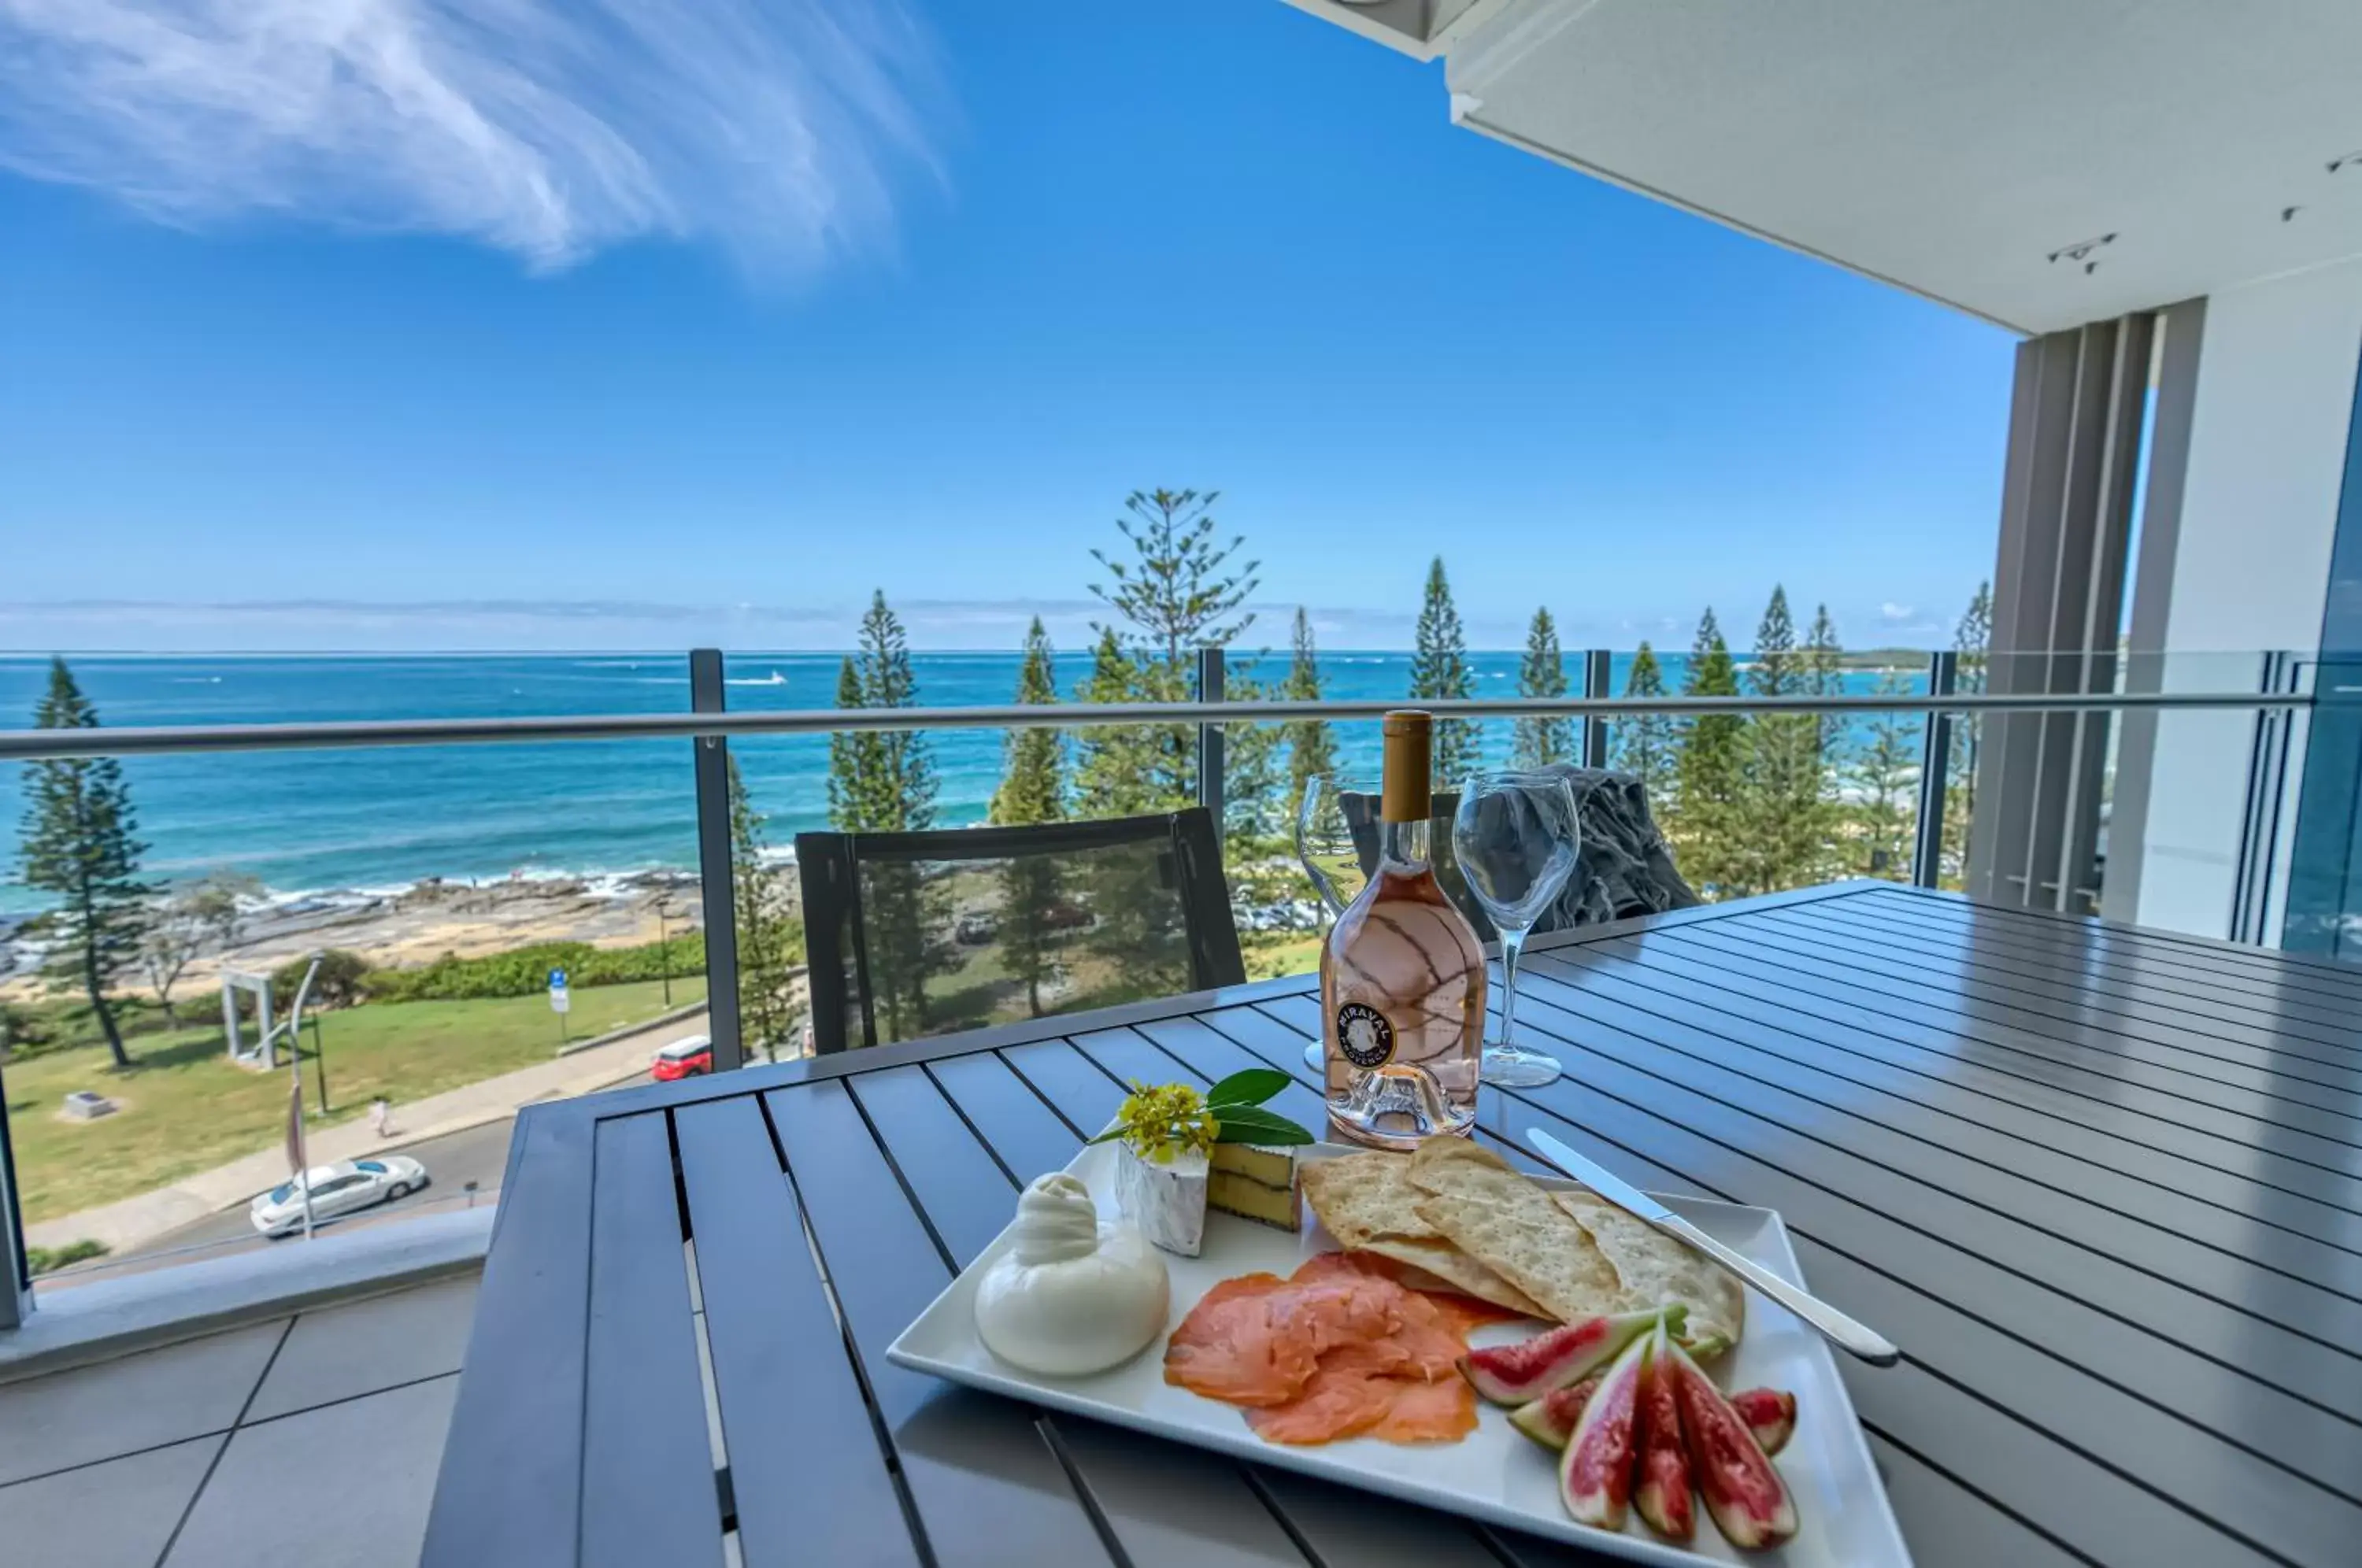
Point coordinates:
[[1622, 870]]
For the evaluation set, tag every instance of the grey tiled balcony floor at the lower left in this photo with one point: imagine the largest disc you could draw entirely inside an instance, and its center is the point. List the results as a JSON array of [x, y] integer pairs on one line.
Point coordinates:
[[306, 1444]]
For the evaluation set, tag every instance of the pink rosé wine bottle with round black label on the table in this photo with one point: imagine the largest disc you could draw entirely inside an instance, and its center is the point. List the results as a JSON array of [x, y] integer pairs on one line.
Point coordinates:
[[1402, 979]]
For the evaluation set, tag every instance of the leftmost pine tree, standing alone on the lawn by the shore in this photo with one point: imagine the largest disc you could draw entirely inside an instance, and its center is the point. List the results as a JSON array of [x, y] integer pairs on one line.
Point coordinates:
[[79, 847]]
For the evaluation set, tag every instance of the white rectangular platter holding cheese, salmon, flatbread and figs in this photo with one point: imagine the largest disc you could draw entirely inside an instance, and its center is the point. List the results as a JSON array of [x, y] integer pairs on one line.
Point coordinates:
[[1496, 1472]]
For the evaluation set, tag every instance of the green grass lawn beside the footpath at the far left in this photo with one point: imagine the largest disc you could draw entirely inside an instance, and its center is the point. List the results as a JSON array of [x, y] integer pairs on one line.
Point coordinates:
[[185, 1109]]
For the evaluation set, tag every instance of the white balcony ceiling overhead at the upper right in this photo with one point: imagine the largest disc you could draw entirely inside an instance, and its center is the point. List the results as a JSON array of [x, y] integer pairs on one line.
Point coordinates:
[[1950, 145]]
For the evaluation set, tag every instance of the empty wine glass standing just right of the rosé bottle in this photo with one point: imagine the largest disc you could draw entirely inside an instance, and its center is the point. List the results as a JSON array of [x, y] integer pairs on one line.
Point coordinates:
[[1515, 837]]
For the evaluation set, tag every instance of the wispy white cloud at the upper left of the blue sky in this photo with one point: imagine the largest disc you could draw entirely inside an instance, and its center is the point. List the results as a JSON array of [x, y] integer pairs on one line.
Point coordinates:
[[547, 129]]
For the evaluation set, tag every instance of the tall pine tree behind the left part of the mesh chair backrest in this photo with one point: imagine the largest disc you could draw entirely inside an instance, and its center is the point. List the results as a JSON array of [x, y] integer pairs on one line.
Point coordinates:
[[885, 783]]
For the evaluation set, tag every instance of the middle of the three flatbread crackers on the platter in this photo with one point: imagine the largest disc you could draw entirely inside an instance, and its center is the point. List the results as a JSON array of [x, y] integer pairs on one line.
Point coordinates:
[[1508, 1224]]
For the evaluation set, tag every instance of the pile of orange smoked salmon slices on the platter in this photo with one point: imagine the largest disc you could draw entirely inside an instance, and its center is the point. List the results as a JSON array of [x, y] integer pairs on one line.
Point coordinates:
[[1336, 1352]]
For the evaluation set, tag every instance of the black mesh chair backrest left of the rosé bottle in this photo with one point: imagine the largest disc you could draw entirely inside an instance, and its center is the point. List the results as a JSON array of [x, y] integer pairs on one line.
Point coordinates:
[[925, 934]]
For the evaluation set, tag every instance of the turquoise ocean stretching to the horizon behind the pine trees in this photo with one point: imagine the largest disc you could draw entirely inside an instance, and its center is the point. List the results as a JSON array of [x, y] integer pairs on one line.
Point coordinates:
[[318, 823]]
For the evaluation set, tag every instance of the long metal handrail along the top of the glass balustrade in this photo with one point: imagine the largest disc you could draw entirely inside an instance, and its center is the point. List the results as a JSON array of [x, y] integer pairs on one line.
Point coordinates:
[[143, 740]]
